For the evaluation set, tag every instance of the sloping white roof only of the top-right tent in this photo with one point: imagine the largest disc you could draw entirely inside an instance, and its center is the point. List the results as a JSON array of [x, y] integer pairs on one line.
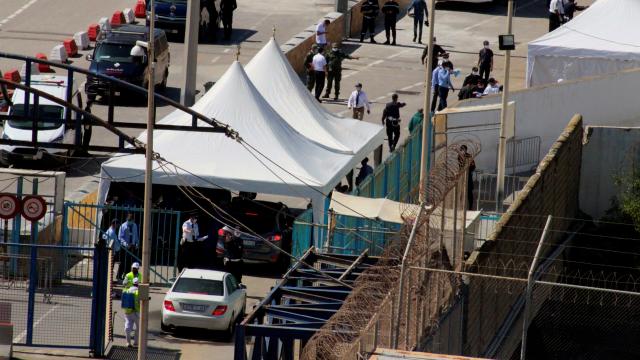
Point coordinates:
[[608, 28]]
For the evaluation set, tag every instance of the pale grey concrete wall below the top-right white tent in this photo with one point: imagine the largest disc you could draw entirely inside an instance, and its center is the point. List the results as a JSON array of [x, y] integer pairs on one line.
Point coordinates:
[[541, 111]]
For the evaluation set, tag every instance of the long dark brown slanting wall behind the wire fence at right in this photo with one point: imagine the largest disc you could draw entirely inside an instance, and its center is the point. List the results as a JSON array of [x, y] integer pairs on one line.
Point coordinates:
[[552, 190]]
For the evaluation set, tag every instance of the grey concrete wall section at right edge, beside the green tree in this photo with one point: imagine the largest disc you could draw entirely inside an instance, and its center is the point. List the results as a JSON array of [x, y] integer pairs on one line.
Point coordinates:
[[601, 162]]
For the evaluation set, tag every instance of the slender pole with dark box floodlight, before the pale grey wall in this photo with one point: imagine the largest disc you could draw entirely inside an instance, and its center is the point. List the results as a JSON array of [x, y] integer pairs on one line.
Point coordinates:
[[502, 146]]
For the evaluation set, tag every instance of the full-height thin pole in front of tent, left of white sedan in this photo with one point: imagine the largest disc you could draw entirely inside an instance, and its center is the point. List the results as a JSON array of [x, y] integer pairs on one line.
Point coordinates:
[[143, 288]]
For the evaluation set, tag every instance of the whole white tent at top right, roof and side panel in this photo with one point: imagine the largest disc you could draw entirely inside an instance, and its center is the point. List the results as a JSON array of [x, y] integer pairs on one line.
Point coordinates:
[[605, 38]]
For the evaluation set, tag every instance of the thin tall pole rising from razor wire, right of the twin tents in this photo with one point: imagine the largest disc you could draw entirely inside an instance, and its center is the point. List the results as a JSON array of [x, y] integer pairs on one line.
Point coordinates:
[[426, 113]]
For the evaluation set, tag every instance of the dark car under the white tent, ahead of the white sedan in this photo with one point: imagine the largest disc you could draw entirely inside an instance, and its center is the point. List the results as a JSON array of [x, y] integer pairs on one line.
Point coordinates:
[[272, 221]]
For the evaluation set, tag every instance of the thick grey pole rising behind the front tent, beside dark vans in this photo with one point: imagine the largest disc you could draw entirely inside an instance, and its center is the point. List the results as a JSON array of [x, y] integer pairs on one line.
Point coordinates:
[[192, 27]]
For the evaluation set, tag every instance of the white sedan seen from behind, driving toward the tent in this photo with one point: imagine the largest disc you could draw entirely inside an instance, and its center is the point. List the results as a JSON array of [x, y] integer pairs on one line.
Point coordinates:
[[204, 299]]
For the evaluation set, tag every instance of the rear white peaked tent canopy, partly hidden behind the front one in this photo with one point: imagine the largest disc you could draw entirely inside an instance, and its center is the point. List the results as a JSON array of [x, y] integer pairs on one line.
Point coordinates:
[[273, 76]]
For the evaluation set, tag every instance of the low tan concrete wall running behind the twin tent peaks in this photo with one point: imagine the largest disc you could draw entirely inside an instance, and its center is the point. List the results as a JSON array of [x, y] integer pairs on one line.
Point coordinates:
[[296, 48]]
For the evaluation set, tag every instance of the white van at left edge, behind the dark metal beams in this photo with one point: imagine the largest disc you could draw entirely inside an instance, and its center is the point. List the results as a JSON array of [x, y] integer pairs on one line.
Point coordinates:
[[51, 124]]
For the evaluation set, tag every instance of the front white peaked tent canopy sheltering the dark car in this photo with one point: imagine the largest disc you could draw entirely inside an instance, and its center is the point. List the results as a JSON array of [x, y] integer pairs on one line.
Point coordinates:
[[212, 158]]
